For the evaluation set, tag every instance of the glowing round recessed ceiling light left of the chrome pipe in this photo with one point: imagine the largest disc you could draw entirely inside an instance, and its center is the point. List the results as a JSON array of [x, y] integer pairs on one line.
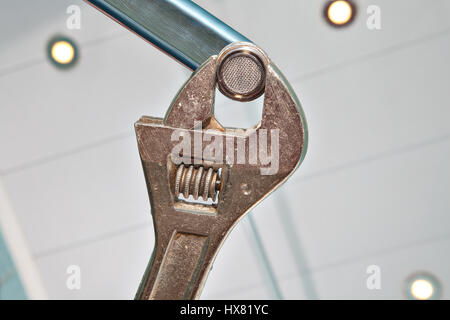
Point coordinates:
[[62, 52]]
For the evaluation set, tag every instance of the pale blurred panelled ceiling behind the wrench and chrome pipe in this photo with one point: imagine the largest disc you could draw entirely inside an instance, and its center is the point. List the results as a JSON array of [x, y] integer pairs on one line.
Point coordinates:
[[366, 216]]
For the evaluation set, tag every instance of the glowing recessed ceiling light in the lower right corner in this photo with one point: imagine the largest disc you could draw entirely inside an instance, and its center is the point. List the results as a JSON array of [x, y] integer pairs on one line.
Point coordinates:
[[422, 287]]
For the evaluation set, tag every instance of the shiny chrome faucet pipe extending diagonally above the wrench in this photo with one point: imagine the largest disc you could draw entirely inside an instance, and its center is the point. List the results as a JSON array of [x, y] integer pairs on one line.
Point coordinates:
[[180, 28]]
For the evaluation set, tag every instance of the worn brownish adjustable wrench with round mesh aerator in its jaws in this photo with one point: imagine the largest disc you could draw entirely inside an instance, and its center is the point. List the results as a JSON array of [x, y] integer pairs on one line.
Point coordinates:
[[189, 156]]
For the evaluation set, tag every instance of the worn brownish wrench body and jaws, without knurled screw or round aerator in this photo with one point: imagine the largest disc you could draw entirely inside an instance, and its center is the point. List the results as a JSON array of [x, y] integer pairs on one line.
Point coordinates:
[[189, 235]]
